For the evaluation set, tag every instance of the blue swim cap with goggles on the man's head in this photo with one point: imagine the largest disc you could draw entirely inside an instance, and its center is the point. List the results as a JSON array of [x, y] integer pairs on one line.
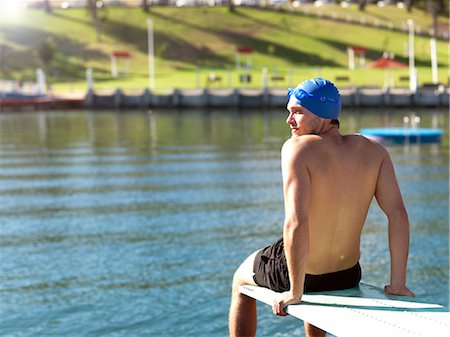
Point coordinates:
[[319, 96]]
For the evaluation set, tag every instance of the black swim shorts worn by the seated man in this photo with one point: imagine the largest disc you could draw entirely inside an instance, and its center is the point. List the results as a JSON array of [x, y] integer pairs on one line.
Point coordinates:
[[271, 272]]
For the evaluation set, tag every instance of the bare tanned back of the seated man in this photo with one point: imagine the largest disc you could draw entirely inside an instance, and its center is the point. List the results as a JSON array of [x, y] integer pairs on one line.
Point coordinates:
[[344, 173]]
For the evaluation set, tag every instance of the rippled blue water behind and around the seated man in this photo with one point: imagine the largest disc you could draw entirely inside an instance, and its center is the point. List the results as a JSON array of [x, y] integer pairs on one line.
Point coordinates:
[[132, 224]]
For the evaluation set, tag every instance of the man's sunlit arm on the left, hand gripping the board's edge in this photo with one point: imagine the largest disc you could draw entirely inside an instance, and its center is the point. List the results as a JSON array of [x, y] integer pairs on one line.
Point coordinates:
[[297, 192]]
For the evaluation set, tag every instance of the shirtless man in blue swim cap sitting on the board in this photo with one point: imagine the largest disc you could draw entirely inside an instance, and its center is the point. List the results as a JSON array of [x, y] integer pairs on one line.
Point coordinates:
[[329, 181]]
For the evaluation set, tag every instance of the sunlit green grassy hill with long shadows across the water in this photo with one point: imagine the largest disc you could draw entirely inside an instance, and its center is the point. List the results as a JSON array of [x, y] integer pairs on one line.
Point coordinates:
[[192, 42]]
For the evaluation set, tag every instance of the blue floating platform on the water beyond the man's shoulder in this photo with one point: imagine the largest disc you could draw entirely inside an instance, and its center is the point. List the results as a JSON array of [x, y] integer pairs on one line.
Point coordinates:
[[403, 135]]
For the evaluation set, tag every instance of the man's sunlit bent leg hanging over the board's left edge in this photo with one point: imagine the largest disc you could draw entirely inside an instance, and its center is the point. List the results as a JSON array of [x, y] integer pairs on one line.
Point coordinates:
[[242, 318]]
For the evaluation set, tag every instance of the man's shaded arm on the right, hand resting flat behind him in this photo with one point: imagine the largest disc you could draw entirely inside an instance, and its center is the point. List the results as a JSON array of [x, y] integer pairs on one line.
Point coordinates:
[[390, 200]]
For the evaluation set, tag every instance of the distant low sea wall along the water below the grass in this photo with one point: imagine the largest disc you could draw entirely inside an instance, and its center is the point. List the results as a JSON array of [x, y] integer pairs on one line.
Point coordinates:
[[426, 96]]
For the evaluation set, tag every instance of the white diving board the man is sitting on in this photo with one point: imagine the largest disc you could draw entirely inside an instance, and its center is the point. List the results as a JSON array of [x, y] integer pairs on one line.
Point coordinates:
[[363, 311]]
